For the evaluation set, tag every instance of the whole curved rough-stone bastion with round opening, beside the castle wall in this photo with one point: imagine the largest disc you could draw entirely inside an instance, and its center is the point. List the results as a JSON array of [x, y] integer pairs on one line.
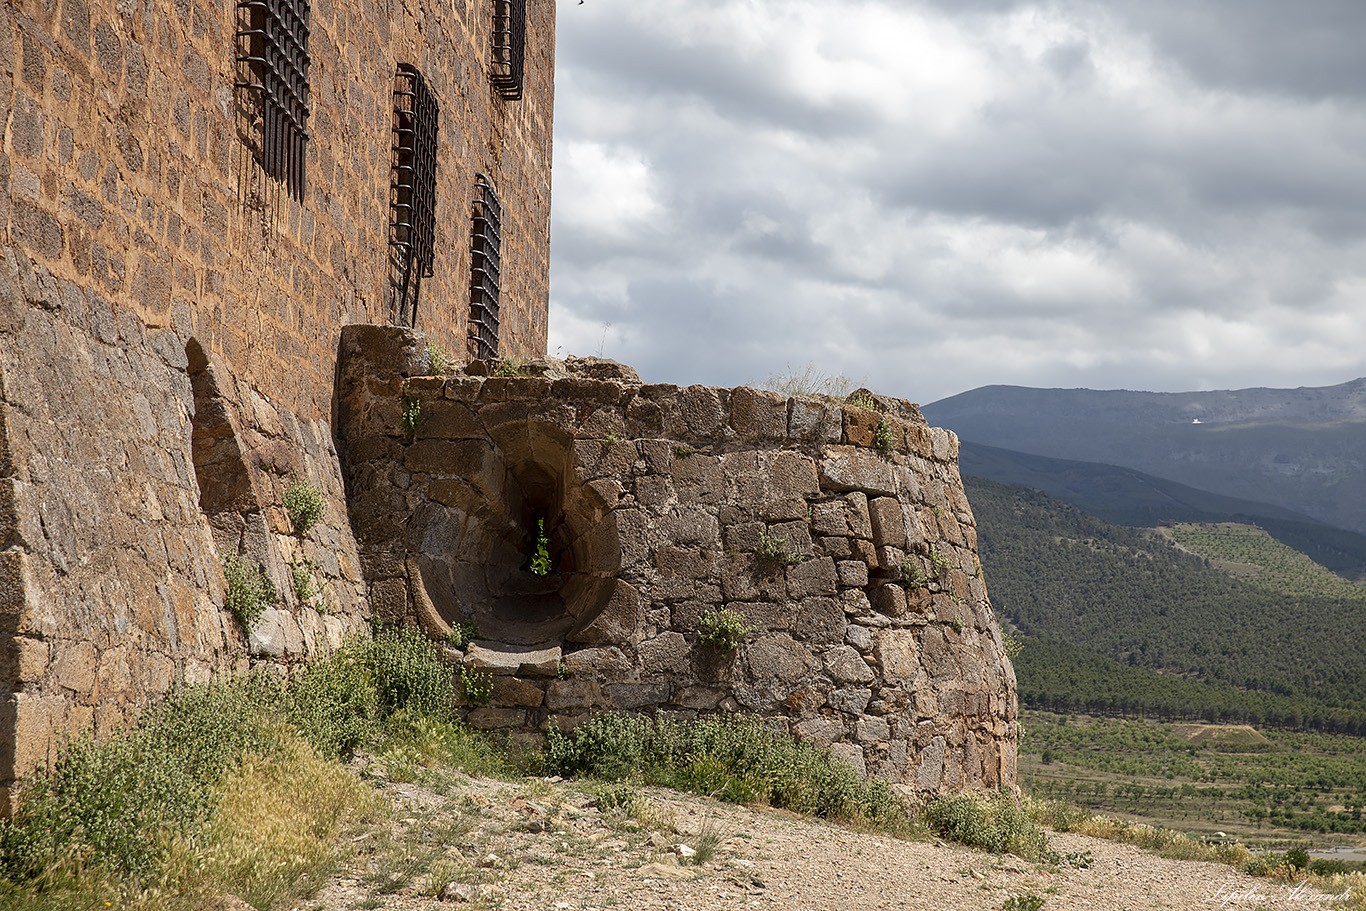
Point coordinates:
[[839, 533]]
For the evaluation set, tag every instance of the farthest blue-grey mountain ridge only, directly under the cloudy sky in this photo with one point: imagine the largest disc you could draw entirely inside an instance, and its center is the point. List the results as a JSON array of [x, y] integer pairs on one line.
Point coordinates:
[[1301, 450]]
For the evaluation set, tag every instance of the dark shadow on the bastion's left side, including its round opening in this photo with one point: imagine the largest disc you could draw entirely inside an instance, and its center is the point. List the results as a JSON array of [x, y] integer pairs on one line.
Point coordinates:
[[461, 502]]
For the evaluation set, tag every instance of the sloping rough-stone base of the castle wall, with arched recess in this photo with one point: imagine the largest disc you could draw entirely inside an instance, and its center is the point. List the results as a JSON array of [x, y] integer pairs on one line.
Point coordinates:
[[129, 464]]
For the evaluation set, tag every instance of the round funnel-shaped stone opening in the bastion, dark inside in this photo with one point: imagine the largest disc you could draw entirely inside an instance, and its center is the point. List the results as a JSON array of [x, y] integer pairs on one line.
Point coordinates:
[[472, 543]]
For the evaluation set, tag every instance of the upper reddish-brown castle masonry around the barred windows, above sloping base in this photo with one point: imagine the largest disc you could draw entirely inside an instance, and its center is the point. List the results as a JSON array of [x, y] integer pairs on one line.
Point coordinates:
[[128, 176]]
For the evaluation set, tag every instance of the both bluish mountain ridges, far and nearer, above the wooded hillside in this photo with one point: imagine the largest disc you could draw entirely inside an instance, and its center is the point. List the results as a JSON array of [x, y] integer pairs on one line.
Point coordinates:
[[1289, 457]]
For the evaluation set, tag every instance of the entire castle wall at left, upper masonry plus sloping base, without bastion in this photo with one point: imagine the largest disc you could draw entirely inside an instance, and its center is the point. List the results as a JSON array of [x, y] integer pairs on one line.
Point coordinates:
[[170, 320]]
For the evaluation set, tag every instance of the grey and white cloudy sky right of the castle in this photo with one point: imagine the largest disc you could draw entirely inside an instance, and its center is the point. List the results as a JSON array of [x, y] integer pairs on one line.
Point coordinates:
[[931, 197]]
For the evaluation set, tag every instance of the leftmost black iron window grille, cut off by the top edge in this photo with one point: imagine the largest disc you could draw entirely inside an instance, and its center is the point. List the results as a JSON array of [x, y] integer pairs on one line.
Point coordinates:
[[273, 40]]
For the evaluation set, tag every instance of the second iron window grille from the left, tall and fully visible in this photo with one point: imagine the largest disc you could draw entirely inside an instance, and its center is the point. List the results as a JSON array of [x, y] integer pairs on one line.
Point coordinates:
[[413, 188]]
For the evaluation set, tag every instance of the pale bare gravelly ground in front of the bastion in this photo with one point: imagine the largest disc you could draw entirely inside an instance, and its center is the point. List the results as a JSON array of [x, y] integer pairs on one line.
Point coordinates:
[[559, 846]]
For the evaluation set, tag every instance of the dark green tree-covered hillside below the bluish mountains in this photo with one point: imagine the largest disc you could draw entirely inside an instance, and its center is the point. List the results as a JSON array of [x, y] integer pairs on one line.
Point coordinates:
[[1121, 619]]
